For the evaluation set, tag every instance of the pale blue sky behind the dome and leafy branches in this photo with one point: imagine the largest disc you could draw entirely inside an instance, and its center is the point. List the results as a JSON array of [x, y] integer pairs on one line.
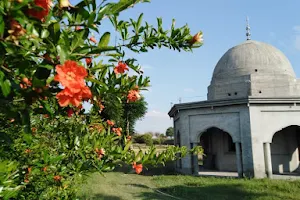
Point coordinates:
[[180, 75]]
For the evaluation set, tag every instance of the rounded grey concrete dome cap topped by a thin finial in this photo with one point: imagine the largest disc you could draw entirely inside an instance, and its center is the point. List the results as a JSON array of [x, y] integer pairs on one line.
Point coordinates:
[[250, 57]]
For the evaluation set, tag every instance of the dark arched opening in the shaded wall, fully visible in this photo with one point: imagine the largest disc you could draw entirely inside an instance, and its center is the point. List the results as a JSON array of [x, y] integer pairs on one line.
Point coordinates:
[[219, 150]]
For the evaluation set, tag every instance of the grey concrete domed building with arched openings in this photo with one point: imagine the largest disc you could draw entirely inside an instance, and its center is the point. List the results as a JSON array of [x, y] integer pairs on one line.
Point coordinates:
[[250, 123]]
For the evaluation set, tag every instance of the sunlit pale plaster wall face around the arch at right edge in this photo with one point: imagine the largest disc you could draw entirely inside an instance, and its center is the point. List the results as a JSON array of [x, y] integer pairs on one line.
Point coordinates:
[[266, 120]]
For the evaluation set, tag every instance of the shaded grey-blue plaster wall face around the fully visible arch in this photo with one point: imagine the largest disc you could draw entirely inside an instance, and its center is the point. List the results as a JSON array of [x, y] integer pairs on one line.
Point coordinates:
[[232, 119]]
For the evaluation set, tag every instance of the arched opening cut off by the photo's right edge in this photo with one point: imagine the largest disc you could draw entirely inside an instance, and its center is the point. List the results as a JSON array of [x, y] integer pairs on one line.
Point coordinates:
[[285, 151]]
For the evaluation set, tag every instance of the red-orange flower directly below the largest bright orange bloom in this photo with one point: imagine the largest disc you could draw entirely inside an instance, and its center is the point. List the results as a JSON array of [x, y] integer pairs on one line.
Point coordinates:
[[66, 96]]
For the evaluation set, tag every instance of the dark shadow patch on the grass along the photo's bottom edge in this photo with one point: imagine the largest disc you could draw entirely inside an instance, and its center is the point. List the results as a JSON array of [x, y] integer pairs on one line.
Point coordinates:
[[192, 191]]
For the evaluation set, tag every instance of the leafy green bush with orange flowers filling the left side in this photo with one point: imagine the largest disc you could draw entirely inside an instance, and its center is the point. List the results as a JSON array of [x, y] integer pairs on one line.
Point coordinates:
[[54, 57]]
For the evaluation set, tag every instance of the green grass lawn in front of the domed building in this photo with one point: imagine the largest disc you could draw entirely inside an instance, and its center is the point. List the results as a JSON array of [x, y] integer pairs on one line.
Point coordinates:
[[120, 186]]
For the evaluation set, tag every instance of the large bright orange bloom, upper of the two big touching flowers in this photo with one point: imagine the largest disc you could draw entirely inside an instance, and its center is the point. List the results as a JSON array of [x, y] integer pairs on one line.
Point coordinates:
[[71, 75]]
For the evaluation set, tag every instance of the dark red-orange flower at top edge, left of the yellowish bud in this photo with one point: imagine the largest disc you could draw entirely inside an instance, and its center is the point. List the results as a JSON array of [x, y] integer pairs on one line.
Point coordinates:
[[42, 13]]
